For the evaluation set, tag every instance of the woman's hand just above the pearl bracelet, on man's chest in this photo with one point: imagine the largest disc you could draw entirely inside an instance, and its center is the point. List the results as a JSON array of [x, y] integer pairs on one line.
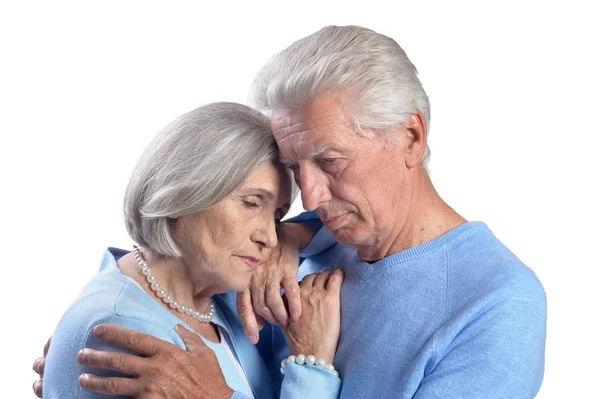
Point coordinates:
[[317, 330]]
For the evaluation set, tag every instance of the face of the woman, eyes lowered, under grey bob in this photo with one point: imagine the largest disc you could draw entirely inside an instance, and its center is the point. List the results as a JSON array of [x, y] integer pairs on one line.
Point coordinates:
[[223, 245]]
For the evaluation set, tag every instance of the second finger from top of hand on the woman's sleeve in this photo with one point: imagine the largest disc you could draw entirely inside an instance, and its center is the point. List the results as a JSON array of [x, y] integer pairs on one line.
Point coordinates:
[[121, 362]]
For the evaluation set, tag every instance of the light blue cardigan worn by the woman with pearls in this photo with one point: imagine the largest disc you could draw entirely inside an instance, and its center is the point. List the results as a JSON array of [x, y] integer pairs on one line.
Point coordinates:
[[110, 297]]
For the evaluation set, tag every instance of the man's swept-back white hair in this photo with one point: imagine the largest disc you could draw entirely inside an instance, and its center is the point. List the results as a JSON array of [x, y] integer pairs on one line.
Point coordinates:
[[372, 69]]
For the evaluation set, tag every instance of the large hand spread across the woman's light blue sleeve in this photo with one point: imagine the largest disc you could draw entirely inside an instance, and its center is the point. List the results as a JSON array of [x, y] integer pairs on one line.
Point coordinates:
[[166, 371]]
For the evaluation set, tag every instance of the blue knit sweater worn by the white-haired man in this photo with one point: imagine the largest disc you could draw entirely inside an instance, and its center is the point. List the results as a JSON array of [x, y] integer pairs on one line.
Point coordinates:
[[457, 317]]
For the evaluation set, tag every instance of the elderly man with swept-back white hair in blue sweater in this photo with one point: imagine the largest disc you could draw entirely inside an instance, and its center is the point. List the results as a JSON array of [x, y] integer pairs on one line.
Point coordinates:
[[432, 305]]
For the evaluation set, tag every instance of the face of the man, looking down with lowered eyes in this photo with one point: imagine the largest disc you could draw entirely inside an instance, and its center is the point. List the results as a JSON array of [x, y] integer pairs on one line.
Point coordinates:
[[355, 181]]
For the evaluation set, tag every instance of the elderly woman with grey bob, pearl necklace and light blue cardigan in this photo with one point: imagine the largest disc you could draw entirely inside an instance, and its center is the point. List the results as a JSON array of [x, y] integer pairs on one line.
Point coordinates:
[[202, 203]]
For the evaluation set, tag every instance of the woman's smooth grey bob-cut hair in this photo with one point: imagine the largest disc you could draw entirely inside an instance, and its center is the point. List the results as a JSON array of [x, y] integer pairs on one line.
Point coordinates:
[[194, 162]]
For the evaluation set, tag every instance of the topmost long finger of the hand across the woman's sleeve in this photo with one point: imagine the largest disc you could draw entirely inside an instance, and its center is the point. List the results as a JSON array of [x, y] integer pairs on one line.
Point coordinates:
[[139, 342]]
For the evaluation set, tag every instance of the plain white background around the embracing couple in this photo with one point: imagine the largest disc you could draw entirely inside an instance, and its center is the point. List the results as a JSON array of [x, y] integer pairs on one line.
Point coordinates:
[[85, 85]]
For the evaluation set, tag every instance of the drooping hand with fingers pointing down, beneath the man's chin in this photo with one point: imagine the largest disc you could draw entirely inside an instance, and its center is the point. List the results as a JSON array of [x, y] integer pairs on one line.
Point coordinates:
[[263, 300]]
